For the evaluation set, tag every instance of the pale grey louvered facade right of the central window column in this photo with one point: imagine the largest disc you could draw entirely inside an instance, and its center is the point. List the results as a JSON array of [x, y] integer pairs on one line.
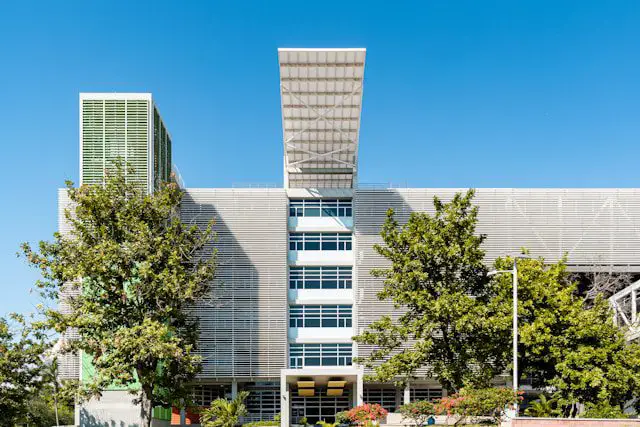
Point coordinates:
[[593, 226]]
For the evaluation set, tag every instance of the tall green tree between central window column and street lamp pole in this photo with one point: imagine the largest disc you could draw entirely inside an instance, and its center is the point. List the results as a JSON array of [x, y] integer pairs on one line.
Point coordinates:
[[437, 278]]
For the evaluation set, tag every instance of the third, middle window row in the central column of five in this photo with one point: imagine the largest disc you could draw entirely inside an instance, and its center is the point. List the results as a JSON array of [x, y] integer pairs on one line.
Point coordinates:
[[320, 277]]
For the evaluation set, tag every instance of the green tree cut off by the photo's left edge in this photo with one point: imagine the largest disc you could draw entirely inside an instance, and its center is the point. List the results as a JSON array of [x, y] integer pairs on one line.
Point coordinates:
[[21, 363]]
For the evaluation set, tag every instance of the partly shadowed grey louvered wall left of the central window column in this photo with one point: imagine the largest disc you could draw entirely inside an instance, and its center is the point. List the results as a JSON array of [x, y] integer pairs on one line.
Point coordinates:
[[243, 321]]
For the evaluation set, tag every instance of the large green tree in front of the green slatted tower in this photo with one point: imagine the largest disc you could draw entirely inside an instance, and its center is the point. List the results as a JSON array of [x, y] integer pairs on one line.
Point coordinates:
[[139, 269]]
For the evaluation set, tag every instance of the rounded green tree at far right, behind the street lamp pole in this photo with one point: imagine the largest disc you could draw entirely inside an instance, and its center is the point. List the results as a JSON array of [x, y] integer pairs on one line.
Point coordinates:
[[565, 342]]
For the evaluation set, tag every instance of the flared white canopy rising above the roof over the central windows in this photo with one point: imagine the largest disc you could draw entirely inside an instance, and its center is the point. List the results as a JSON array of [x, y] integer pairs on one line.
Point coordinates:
[[321, 95]]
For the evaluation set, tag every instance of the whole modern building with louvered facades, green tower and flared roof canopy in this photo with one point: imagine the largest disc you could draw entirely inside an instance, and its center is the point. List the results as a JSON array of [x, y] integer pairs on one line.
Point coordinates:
[[294, 282]]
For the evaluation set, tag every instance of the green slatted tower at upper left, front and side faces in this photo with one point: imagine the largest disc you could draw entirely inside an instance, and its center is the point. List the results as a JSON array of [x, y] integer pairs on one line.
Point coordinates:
[[120, 128]]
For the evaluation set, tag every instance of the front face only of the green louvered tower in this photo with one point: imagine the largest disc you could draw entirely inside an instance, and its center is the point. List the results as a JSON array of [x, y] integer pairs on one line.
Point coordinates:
[[114, 129]]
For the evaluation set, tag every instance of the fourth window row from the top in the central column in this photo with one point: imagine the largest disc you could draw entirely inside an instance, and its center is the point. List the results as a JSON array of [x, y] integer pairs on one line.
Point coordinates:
[[320, 316]]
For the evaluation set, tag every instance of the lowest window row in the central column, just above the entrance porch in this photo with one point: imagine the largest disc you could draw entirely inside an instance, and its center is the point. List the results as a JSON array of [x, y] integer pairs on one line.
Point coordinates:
[[301, 355]]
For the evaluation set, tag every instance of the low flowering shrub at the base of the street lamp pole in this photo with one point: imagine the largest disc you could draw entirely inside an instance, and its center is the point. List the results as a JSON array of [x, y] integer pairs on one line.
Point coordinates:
[[475, 403]]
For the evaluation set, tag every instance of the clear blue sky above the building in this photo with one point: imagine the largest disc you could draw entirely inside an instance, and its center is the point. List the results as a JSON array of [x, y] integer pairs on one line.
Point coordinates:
[[473, 93]]
